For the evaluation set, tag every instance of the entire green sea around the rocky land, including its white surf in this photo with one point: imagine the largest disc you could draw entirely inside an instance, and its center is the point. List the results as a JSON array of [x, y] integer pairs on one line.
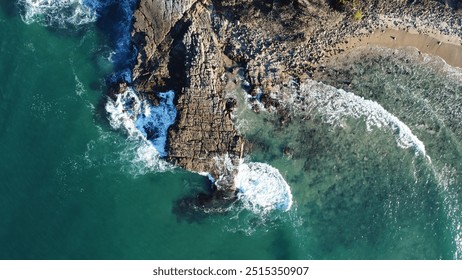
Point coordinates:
[[368, 167]]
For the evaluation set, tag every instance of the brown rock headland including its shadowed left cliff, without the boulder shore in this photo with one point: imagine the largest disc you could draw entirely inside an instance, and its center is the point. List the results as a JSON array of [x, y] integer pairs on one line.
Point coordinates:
[[180, 50]]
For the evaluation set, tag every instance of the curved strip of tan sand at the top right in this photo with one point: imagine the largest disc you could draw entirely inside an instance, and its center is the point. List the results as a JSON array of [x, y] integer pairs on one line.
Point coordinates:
[[445, 47]]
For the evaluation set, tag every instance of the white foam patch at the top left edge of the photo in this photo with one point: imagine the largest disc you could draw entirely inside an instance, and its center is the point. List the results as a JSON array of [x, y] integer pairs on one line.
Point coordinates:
[[57, 12]]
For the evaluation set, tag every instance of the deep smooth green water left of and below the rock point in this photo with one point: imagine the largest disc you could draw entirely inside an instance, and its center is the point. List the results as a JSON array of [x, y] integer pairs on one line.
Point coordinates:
[[72, 187]]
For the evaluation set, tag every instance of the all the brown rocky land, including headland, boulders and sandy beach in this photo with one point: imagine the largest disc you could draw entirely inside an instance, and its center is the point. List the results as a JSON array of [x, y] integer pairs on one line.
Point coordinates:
[[190, 46]]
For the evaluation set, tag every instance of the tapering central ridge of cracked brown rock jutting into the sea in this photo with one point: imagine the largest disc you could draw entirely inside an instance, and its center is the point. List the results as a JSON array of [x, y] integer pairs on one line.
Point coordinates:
[[204, 132]]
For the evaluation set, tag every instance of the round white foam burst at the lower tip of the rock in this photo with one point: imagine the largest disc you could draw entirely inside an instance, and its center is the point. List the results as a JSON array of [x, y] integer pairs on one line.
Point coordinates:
[[262, 188]]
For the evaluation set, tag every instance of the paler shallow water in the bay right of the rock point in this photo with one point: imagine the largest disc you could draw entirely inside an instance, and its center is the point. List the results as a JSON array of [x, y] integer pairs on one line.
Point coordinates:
[[374, 165]]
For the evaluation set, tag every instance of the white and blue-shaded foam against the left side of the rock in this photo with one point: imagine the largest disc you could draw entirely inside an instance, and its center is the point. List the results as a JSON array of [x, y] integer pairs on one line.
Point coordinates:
[[145, 124]]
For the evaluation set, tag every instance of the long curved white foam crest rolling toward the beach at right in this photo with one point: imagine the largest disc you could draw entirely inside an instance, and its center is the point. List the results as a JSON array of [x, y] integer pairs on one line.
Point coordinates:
[[335, 105]]
